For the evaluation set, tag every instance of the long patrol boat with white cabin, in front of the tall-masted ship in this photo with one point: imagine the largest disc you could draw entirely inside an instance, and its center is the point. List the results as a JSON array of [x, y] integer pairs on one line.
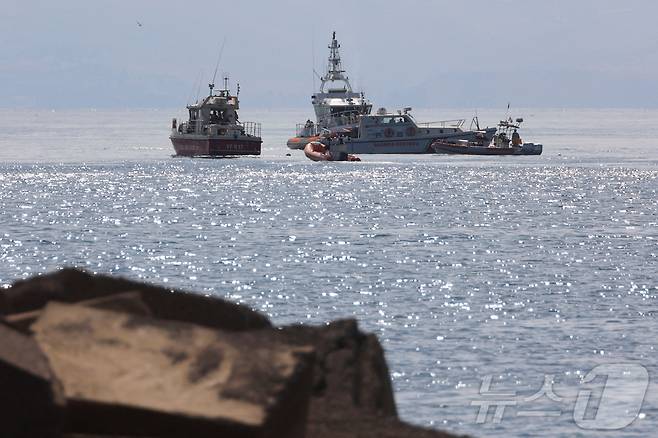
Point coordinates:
[[399, 133]]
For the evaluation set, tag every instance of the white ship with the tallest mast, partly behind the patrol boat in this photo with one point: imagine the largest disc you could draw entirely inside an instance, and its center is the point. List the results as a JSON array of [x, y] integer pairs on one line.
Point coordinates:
[[336, 105]]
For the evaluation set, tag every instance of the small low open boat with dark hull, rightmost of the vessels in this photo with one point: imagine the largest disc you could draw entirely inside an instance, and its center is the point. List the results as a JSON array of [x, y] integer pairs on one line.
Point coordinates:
[[506, 141]]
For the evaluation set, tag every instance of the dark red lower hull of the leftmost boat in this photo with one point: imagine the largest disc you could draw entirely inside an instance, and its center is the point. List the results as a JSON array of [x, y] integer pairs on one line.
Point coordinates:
[[188, 147]]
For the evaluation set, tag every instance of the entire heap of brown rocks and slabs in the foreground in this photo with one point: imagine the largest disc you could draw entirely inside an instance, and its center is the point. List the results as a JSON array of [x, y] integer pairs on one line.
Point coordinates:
[[126, 359]]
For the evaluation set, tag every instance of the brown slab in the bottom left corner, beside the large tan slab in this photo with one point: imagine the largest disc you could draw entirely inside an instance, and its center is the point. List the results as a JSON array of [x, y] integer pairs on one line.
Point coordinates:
[[31, 405]]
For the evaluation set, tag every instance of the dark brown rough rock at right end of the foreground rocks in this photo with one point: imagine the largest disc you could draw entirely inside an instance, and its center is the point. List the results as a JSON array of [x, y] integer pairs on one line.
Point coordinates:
[[352, 390]]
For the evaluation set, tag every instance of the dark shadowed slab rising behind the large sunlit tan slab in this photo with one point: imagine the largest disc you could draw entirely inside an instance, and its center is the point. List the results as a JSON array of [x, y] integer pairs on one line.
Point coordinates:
[[72, 285]]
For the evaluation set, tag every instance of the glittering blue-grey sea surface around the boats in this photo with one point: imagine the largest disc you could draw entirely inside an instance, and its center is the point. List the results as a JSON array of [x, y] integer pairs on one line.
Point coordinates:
[[466, 267]]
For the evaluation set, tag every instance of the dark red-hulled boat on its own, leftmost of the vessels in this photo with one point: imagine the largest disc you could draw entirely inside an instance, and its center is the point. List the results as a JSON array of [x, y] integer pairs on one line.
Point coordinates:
[[213, 128]]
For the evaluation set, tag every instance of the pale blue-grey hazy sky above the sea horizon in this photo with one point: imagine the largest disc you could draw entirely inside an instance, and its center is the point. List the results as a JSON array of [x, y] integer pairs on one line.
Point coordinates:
[[420, 53]]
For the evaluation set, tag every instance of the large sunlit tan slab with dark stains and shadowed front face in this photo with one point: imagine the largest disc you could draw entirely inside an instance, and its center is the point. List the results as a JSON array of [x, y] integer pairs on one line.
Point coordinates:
[[123, 373]]
